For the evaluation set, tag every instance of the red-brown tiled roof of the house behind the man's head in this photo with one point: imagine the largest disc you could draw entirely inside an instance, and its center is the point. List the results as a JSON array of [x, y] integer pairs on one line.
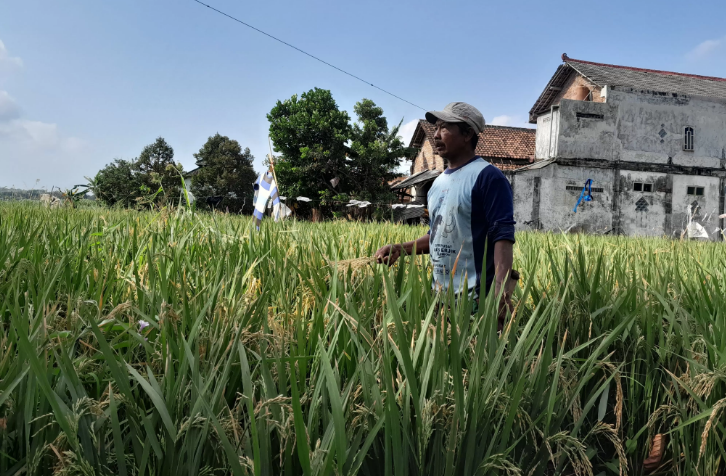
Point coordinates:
[[501, 142]]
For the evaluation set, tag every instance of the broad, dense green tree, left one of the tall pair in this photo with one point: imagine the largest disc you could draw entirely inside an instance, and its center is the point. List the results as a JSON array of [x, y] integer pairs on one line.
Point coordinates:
[[311, 134]]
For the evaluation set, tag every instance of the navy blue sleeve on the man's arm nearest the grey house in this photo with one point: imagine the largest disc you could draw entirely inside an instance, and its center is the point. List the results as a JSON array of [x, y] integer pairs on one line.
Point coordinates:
[[492, 200]]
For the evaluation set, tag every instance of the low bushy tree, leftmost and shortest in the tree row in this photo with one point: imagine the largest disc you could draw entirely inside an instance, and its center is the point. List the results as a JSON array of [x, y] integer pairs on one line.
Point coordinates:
[[117, 183]]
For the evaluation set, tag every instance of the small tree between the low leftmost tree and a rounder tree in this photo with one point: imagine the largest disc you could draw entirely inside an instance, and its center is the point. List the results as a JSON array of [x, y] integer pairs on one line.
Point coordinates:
[[156, 168]]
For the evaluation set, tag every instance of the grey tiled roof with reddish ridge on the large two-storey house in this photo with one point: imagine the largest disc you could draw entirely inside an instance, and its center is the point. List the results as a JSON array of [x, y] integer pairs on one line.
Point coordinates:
[[617, 76]]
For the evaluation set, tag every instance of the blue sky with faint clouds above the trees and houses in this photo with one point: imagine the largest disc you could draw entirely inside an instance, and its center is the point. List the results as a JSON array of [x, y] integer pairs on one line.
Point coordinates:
[[85, 81]]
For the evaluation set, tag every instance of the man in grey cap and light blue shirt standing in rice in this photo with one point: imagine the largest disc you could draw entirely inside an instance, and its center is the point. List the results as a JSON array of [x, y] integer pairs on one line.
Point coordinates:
[[470, 208]]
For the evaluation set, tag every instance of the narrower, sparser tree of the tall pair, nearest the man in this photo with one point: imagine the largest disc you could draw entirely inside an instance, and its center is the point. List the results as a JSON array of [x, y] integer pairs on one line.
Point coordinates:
[[375, 152]]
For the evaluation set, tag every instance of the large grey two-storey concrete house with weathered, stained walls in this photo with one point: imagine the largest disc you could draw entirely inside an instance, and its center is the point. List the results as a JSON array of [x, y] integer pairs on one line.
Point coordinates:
[[652, 142]]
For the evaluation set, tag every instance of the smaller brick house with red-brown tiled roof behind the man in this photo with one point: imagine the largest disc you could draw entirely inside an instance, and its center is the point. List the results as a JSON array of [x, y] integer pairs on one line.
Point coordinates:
[[509, 148]]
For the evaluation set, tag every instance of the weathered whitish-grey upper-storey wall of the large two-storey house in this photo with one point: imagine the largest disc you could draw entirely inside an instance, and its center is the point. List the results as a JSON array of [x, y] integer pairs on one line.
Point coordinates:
[[630, 129]]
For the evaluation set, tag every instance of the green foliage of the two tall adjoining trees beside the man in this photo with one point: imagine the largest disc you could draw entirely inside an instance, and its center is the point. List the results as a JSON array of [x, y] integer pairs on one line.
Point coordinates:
[[318, 144]]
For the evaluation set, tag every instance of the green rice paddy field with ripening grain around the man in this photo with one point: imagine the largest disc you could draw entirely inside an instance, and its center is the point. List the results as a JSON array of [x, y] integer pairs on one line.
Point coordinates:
[[174, 343]]
